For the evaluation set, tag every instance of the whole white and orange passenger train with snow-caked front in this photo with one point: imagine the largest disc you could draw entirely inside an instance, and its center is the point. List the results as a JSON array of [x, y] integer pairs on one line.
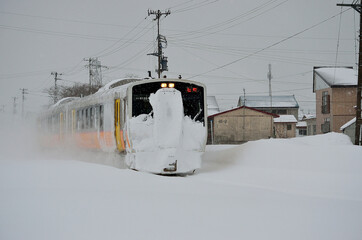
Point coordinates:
[[159, 125]]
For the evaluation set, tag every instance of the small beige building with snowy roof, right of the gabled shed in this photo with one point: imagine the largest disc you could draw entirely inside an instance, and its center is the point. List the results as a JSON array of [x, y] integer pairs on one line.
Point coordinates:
[[285, 126]]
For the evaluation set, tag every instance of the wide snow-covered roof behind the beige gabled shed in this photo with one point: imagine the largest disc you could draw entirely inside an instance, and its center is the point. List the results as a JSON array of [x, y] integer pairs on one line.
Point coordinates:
[[264, 101]]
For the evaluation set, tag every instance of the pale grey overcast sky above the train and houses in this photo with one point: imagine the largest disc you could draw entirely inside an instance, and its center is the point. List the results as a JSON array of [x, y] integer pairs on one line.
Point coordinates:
[[226, 44]]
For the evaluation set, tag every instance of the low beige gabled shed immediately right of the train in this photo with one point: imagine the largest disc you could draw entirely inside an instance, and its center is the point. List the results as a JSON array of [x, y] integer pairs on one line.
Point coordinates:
[[240, 125]]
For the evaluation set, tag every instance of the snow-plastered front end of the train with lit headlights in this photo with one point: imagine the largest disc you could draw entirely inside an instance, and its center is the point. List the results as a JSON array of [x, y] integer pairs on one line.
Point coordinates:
[[166, 126]]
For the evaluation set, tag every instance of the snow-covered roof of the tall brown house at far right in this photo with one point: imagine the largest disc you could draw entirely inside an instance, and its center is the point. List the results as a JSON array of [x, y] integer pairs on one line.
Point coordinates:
[[340, 76]]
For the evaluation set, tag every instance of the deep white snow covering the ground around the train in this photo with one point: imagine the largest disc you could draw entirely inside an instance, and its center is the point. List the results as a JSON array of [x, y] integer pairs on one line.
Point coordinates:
[[303, 188]]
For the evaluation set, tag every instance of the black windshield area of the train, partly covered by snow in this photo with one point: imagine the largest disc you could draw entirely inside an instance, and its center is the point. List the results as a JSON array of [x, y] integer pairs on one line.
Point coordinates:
[[192, 97]]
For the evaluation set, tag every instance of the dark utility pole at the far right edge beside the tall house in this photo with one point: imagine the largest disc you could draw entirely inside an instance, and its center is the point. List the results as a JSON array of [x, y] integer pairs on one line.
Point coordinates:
[[358, 7]]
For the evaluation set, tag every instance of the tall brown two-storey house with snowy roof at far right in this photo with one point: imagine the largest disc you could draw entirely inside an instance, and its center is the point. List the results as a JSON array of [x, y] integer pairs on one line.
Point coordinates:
[[336, 96]]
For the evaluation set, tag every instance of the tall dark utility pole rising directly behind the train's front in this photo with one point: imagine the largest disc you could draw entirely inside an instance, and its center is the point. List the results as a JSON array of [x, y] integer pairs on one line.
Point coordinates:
[[162, 60]]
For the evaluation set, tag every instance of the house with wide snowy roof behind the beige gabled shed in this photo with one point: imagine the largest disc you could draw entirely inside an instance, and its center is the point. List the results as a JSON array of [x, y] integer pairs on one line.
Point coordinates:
[[281, 105]]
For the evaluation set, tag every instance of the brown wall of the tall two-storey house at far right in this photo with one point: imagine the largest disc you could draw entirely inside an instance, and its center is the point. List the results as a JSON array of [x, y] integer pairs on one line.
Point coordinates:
[[342, 102]]
